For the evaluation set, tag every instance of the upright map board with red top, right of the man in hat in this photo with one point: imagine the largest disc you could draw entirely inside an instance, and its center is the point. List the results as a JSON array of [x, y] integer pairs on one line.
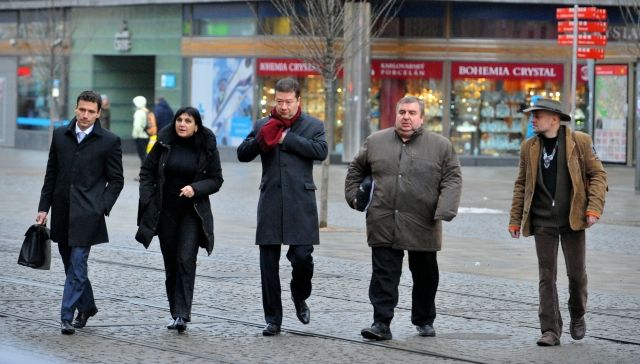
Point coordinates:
[[610, 129]]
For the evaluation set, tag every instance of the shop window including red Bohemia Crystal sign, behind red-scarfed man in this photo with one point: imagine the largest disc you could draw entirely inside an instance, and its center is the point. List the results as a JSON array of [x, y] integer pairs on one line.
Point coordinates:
[[312, 90]]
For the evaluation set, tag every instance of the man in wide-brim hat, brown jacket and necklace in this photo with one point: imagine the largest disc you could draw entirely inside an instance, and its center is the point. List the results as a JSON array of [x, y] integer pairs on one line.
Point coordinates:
[[558, 193]]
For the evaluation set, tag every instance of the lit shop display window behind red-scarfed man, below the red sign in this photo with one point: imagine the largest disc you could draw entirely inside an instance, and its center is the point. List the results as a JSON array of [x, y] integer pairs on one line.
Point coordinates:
[[312, 100]]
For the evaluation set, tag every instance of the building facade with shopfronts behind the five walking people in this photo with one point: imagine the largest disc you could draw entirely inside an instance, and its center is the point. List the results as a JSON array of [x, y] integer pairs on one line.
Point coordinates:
[[475, 64]]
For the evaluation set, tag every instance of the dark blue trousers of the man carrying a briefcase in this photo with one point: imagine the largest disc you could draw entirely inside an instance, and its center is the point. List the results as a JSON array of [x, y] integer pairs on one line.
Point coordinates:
[[78, 293]]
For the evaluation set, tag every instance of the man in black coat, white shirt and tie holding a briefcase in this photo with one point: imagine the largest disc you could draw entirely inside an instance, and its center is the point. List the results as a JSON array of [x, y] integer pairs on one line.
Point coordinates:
[[82, 182]]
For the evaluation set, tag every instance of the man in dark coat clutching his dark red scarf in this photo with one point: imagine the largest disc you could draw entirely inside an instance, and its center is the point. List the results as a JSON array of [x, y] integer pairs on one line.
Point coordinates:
[[288, 142]]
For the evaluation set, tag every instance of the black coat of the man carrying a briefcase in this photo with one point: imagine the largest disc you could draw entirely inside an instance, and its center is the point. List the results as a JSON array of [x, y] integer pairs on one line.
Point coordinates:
[[81, 184]]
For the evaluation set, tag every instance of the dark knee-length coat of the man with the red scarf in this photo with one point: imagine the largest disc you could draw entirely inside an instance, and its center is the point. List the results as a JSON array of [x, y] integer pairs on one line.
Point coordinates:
[[287, 212]]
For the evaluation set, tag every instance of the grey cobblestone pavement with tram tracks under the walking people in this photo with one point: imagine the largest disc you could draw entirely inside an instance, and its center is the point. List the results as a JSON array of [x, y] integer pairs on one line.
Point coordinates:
[[487, 300]]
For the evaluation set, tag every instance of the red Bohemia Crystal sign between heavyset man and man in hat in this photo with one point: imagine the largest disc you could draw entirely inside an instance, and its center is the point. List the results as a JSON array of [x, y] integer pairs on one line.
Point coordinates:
[[508, 71]]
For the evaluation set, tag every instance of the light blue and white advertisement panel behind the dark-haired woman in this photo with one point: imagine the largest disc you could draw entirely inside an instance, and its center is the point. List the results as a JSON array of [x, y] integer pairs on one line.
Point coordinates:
[[222, 90]]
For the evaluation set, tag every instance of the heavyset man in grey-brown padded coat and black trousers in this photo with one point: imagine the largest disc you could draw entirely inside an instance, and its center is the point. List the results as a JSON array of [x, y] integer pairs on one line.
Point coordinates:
[[417, 184]]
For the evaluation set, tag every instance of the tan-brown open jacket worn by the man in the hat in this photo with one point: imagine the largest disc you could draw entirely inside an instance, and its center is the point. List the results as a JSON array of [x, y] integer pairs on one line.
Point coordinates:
[[588, 182]]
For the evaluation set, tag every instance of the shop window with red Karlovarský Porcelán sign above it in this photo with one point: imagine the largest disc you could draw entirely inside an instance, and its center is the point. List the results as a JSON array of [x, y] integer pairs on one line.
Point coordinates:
[[392, 80]]
